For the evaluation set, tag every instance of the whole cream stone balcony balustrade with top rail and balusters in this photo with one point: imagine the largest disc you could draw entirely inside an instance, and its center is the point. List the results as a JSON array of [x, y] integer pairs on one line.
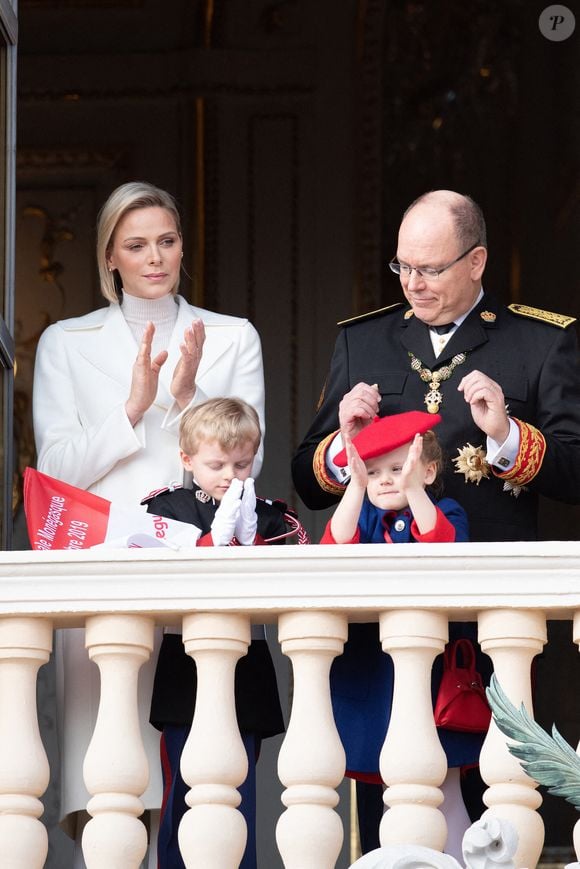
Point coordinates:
[[312, 592]]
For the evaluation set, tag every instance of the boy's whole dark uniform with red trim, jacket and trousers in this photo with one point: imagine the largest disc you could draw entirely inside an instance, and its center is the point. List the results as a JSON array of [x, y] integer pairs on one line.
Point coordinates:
[[174, 690]]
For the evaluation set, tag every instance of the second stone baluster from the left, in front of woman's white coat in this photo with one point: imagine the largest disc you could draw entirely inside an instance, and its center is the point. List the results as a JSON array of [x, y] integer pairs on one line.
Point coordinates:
[[115, 770]]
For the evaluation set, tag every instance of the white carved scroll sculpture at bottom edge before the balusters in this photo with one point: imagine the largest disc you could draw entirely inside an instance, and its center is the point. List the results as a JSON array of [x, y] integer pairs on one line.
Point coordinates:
[[487, 844]]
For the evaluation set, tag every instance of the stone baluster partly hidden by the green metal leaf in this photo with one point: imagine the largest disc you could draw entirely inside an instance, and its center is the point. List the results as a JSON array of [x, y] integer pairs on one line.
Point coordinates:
[[512, 638]]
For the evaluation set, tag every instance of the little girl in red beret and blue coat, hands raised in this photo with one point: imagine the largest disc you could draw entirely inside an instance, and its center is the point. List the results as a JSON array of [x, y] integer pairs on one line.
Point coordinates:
[[394, 463]]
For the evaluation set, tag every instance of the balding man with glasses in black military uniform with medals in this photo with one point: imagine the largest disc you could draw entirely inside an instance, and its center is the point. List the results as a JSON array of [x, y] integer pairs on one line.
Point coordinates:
[[504, 379]]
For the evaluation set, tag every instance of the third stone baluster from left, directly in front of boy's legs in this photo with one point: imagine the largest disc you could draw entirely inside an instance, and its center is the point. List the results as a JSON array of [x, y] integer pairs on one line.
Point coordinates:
[[214, 762]]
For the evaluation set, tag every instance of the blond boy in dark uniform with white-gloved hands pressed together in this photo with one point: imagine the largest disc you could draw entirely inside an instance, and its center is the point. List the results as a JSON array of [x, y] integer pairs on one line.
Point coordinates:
[[218, 441]]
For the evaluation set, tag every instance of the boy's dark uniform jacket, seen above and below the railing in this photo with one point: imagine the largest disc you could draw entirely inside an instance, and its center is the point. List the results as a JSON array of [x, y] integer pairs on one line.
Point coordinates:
[[174, 690]]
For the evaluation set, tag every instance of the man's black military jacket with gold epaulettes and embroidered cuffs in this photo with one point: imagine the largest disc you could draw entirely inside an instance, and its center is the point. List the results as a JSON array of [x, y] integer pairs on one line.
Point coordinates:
[[535, 363]]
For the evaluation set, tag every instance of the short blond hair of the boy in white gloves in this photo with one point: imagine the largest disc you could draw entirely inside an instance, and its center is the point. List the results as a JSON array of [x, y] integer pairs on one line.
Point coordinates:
[[228, 421]]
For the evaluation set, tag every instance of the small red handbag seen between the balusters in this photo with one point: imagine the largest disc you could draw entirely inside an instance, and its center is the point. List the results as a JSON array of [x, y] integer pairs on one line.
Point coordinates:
[[461, 702]]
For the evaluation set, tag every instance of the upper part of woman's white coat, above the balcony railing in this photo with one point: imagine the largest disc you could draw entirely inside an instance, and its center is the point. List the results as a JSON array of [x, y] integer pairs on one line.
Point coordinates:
[[82, 380]]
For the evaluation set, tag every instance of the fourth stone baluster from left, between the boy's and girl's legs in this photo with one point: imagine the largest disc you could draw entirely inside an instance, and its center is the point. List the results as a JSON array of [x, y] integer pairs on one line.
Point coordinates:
[[311, 762]]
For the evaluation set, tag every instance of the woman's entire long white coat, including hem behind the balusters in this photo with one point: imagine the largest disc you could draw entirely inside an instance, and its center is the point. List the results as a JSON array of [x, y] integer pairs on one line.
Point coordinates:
[[82, 380]]
